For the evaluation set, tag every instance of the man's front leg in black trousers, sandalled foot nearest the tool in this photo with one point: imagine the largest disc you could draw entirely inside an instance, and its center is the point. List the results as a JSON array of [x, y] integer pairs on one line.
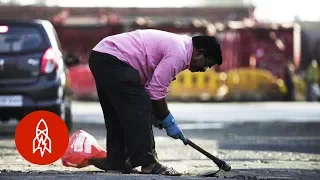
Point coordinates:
[[134, 111]]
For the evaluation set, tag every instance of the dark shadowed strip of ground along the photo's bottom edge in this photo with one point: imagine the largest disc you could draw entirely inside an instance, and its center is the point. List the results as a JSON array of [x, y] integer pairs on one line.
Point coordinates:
[[249, 174]]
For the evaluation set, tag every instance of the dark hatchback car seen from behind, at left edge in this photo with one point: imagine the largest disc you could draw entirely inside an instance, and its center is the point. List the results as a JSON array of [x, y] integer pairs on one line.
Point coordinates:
[[33, 70]]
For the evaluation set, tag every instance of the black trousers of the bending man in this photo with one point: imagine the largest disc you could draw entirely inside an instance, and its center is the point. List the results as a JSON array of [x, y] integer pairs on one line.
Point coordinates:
[[127, 110]]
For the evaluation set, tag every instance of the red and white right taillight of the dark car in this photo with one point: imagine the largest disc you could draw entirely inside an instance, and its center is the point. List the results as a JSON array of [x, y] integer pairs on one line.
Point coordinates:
[[48, 62]]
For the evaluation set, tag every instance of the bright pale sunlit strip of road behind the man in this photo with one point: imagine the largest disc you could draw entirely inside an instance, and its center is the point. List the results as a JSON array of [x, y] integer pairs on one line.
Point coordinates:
[[220, 112]]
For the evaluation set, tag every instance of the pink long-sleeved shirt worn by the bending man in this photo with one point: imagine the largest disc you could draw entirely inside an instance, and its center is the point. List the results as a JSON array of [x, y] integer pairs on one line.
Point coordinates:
[[158, 56]]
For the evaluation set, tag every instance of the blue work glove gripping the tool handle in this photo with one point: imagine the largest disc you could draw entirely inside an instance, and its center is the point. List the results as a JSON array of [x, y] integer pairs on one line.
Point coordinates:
[[172, 128]]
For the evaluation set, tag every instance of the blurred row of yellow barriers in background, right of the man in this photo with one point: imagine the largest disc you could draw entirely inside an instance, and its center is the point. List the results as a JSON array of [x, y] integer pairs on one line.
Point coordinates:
[[211, 85]]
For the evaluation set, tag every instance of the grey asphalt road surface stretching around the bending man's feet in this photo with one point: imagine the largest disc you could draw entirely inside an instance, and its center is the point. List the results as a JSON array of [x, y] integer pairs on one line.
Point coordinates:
[[259, 140]]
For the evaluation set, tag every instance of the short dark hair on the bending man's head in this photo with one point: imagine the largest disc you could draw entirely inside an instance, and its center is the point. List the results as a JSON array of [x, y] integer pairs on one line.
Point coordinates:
[[210, 45]]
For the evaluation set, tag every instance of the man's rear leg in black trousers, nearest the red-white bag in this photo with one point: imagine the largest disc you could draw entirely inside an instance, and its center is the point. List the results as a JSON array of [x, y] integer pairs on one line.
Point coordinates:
[[115, 139]]
